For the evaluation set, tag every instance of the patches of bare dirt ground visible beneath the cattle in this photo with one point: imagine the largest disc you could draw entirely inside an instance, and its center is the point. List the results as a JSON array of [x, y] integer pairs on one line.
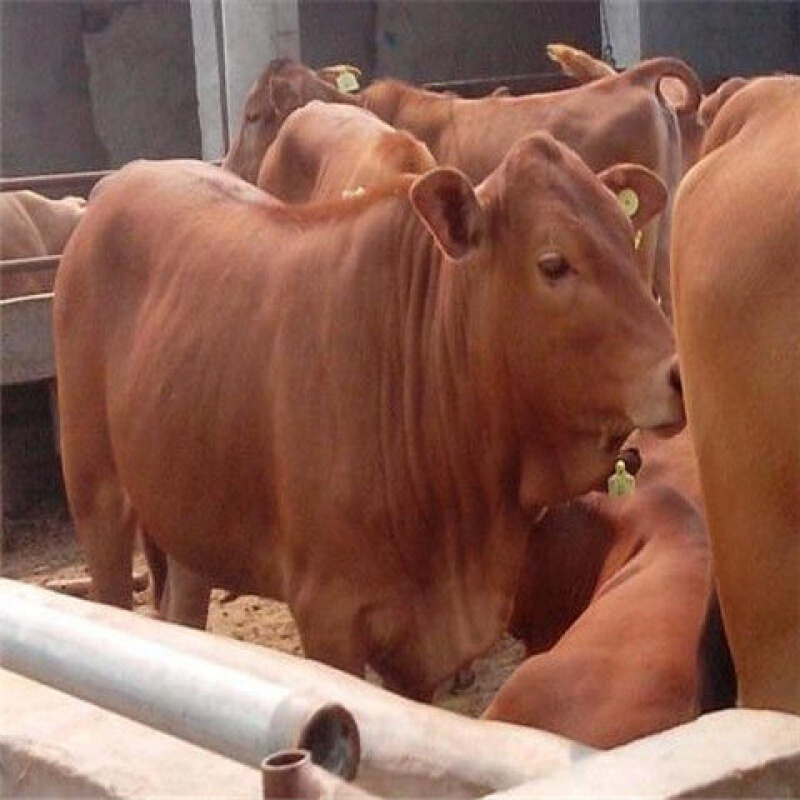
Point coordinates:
[[42, 547]]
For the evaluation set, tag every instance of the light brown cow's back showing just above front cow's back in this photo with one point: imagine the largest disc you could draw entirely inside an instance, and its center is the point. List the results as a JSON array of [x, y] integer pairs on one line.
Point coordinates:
[[325, 149]]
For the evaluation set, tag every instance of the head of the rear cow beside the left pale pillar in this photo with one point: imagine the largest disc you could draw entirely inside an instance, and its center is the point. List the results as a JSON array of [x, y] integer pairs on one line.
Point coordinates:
[[284, 86]]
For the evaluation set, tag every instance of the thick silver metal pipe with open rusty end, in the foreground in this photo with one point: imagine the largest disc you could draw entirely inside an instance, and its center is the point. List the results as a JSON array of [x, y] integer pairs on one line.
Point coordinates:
[[49, 638]]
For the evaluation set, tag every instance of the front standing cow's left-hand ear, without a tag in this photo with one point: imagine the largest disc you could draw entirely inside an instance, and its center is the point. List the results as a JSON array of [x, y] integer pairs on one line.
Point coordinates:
[[445, 201]]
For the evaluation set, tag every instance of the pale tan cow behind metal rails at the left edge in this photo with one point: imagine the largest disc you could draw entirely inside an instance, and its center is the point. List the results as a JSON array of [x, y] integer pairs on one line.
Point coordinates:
[[32, 225]]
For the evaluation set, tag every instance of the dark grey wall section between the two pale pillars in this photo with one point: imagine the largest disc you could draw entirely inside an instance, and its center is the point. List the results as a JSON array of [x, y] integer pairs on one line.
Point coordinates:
[[434, 41]]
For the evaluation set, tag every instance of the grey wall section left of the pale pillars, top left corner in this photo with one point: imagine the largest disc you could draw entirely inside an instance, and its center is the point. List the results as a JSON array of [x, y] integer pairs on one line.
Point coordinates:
[[92, 85]]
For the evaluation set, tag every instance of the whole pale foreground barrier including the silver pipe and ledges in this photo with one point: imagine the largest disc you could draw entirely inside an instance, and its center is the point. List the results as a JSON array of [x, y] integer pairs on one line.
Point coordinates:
[[247, 700]]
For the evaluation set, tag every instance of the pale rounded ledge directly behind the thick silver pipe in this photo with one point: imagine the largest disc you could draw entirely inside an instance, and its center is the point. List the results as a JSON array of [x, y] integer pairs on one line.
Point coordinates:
[[407, 749]]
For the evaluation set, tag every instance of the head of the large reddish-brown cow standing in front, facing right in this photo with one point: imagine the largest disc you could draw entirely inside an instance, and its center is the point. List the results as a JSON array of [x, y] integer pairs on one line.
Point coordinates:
[[568, 346]]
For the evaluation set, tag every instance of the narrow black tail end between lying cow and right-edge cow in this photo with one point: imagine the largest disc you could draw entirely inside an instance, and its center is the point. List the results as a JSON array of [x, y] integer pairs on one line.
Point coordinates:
[[717, 685]]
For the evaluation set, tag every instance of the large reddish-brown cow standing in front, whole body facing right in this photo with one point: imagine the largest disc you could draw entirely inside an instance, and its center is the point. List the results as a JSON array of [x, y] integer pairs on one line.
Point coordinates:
[[357, 406]]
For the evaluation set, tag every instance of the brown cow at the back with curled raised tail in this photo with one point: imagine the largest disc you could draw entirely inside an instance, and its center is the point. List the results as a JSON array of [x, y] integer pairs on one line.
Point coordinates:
[[618, 118]]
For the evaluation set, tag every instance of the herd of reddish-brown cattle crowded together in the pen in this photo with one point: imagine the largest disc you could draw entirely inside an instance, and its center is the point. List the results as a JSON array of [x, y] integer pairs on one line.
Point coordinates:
[[379, 364]]
